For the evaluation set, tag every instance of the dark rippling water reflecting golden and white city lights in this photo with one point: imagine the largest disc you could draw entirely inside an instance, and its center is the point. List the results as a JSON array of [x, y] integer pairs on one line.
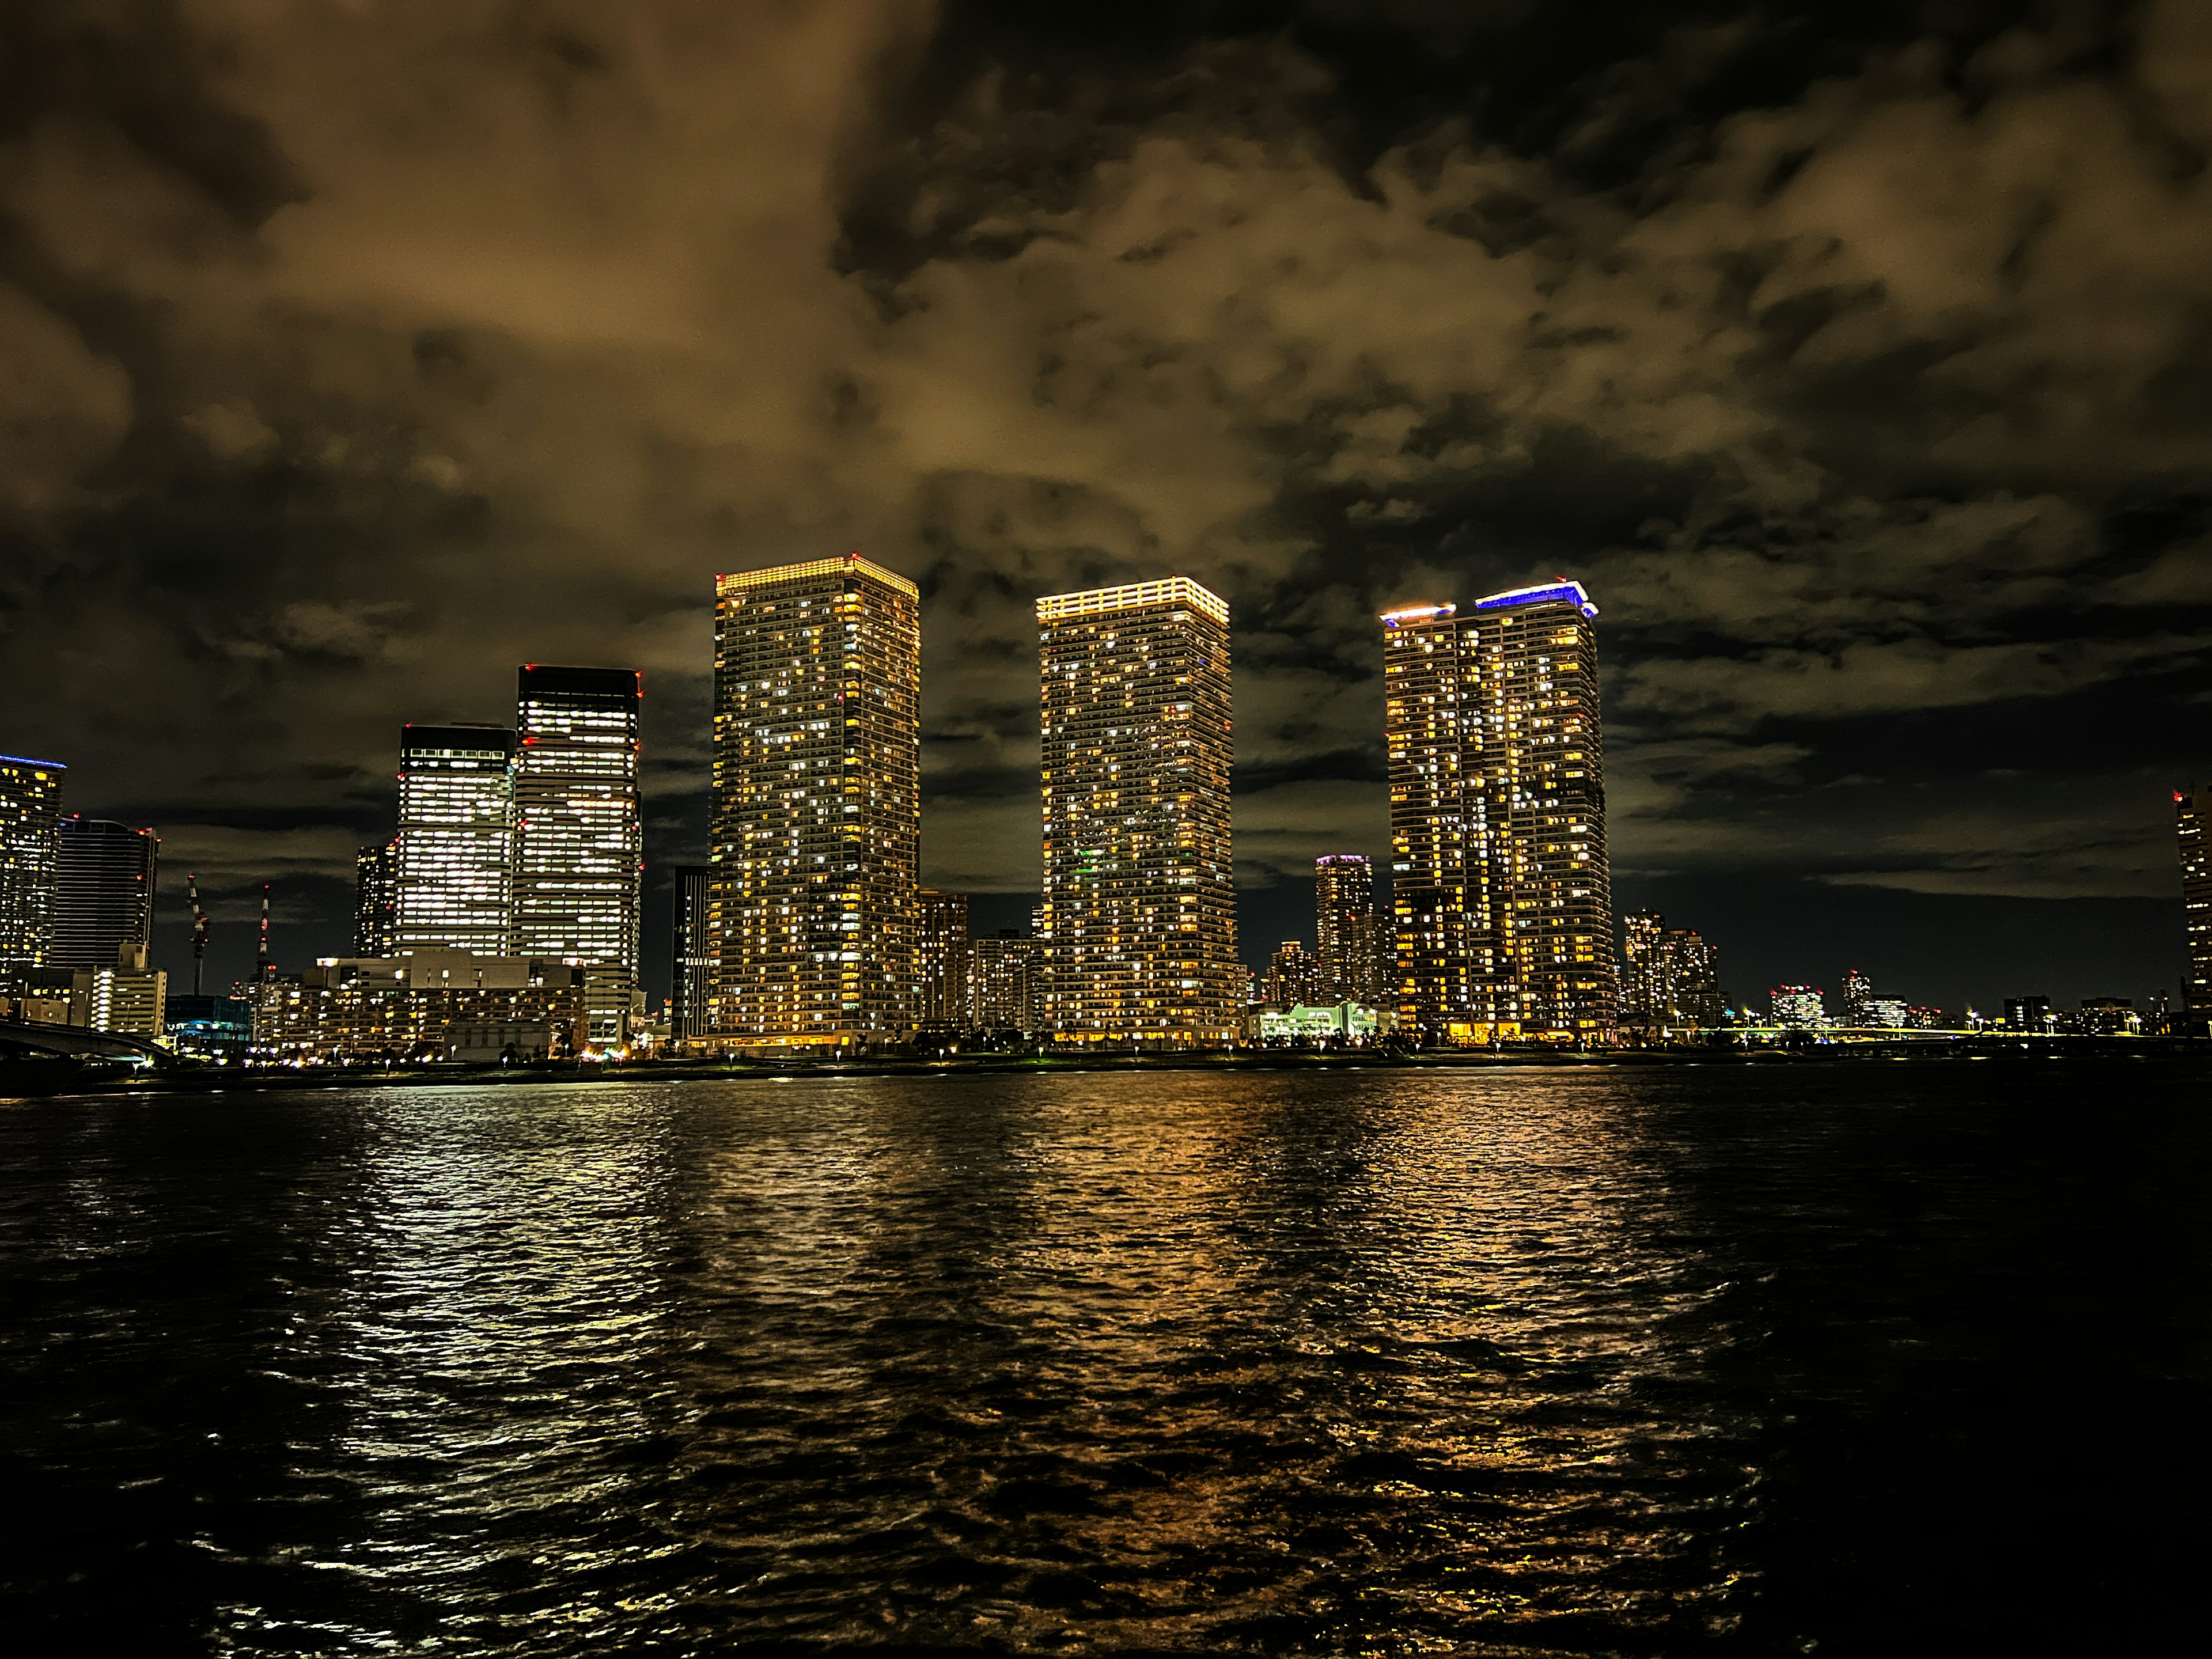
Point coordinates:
[[1740, 1361]]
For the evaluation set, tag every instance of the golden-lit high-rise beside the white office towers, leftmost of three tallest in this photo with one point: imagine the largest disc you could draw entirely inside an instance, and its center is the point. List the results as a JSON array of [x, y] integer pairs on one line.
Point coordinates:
[[817, 804]]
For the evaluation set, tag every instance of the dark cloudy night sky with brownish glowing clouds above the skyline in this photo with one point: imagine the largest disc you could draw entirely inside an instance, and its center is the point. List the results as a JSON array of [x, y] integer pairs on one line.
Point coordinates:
[[1857, 357]]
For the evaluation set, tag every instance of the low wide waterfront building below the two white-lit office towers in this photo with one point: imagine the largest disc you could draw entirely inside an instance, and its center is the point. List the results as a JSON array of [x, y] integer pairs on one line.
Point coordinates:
[[401, 1008]]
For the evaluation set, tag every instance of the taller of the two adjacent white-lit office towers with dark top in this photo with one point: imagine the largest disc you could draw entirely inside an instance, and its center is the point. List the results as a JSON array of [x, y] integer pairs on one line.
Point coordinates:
[[578, 833]]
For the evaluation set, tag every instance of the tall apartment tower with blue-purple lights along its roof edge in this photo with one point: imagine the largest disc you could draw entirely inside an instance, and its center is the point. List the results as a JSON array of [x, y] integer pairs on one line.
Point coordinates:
[[1499, 820]]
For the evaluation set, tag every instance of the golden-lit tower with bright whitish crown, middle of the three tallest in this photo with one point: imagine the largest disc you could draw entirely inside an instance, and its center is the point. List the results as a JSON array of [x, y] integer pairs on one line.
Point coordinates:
[[1140, 906]]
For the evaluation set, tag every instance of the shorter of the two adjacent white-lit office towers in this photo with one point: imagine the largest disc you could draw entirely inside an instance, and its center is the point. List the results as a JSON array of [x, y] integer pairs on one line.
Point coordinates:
[[457, 842]]
